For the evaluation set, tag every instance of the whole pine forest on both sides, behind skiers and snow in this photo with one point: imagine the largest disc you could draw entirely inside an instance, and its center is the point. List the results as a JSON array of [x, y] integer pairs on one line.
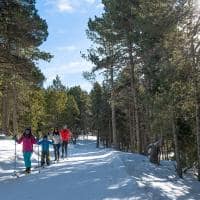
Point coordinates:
[[149, 55]]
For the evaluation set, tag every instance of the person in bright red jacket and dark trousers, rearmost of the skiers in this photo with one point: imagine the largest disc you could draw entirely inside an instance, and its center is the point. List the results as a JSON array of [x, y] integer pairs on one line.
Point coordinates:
[[65, 136]]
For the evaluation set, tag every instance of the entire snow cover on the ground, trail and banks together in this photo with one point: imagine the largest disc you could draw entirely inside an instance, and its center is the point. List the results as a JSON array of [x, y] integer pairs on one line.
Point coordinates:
[[94, 174]]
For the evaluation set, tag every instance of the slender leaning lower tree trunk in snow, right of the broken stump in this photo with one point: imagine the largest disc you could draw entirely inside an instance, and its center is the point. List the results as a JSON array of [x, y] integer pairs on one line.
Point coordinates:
[[177, 150]]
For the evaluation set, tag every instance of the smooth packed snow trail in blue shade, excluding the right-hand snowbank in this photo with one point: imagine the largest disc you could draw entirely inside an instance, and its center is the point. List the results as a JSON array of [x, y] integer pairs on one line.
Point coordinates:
[[88, 175]]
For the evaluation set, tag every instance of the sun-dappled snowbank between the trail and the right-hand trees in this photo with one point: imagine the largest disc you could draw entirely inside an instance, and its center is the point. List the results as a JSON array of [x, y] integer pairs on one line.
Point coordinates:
[[160, 182]]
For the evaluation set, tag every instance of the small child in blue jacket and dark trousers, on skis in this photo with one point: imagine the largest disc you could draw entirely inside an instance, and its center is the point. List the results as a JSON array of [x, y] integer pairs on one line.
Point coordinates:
[[45, 150]]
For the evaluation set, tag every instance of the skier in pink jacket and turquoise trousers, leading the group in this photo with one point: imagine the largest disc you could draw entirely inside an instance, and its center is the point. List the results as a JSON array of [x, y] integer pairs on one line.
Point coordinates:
[[27, 140]]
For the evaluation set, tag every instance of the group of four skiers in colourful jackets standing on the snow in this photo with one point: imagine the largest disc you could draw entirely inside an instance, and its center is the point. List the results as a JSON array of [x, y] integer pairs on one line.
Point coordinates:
[[59, 139]]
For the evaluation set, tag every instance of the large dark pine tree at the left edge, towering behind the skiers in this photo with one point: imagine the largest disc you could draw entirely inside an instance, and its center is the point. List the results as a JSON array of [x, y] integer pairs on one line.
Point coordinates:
[[21, 31]]
